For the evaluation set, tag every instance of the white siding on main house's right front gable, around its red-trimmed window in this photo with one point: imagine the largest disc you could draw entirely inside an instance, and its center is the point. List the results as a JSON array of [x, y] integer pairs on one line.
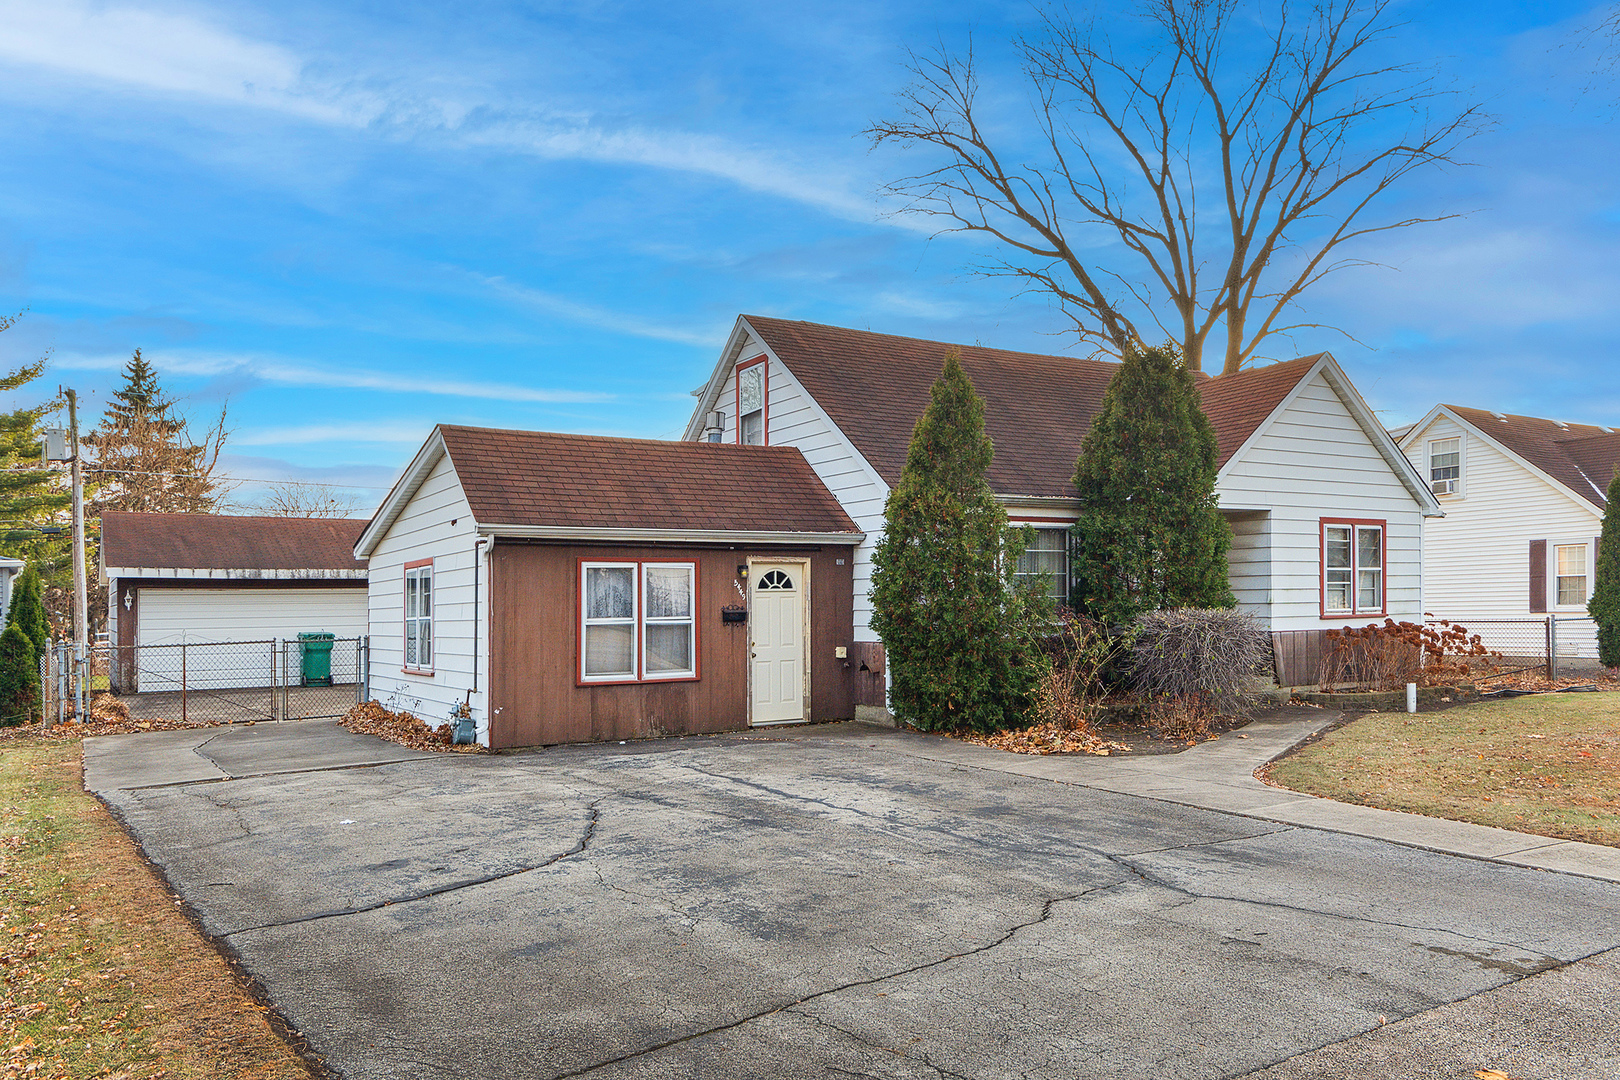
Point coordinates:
[[1308, 464]]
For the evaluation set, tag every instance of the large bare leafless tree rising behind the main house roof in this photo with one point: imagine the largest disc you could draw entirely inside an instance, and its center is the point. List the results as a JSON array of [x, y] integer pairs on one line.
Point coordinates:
[[1289, 127]]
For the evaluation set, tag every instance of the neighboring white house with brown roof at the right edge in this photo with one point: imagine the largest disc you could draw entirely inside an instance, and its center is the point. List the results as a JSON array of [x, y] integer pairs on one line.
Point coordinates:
[[1524, 504]]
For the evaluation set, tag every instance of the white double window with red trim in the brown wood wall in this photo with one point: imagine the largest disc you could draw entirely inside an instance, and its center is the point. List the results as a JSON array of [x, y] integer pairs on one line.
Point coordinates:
[[637, 621]]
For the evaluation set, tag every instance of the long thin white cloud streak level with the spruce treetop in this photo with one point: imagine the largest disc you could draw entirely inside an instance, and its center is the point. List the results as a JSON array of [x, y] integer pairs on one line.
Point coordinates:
[[296, 375]]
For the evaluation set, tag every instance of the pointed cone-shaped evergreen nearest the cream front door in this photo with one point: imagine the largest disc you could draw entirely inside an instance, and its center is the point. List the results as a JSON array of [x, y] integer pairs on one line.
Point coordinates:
[[958, 627]]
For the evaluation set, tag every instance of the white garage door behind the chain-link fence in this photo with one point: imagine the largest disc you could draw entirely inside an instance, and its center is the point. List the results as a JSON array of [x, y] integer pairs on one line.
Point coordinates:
[[169, 616]]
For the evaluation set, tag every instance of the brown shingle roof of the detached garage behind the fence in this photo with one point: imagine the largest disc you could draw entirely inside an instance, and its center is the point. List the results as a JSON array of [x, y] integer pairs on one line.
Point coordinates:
[[208, 542]]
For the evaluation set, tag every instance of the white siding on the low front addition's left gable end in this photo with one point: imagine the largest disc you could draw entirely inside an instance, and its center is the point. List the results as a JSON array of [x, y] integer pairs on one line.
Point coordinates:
[[425, 530]]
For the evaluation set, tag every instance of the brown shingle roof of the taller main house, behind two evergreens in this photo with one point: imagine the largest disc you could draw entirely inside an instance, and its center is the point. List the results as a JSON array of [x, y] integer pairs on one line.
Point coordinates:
[[1038, 407]]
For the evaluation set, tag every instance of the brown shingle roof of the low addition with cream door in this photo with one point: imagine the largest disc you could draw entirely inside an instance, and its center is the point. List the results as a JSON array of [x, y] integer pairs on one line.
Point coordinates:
[[590, 482]]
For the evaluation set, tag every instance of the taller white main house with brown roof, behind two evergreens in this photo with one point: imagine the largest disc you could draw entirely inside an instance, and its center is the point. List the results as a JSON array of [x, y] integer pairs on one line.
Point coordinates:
[[1328, 514]]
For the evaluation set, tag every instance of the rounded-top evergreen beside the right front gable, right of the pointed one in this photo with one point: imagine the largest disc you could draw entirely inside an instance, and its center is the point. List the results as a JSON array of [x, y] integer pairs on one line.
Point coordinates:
[[1151, 535]]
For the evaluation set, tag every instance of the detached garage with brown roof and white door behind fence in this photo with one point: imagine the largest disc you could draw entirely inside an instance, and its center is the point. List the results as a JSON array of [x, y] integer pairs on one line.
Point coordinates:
[[195, 577]]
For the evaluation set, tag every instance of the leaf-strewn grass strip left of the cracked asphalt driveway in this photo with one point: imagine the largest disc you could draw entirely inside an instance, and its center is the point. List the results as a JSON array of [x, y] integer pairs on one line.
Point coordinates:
[[103, 976]]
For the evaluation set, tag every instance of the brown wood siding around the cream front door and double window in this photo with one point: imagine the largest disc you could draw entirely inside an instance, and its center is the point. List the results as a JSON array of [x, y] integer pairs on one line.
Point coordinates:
[[534, 623]]
